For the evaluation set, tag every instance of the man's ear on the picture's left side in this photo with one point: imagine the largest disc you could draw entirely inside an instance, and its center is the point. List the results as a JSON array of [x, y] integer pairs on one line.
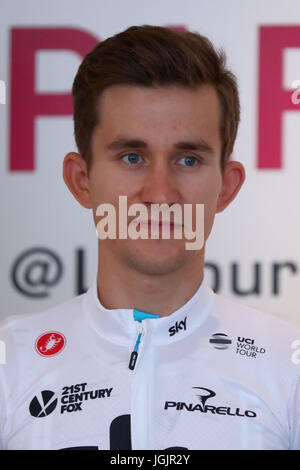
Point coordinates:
[[76, 178]]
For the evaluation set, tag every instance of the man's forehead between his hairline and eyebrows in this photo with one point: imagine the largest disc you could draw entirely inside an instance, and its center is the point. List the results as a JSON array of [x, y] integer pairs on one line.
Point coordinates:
[[160, 113]]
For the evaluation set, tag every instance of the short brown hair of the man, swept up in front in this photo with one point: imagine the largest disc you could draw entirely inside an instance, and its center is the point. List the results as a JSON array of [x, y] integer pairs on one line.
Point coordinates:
[[153, 56]]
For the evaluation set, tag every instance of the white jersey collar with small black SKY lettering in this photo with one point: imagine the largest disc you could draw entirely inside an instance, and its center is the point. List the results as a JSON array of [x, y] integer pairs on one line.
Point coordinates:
[[119, 325]]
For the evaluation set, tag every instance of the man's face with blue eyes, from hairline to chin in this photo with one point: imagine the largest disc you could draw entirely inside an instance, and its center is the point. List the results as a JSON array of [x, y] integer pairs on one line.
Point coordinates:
[[156, 171]]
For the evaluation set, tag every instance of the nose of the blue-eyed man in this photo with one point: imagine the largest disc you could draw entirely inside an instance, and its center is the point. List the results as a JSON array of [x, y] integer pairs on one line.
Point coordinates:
[[160, 185]]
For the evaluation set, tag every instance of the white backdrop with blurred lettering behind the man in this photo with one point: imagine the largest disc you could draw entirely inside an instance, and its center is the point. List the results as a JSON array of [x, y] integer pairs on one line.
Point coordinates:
[[261, 227]]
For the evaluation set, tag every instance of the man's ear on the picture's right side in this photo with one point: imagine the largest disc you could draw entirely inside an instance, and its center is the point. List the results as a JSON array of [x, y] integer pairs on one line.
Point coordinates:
[[233, 178]]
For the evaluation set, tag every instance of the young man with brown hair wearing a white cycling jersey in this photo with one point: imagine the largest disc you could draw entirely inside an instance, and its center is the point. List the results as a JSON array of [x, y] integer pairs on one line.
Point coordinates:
[[150, 357]]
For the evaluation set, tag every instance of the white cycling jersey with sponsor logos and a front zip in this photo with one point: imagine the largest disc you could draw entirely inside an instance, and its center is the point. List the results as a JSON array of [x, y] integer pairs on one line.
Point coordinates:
[[212, 375]]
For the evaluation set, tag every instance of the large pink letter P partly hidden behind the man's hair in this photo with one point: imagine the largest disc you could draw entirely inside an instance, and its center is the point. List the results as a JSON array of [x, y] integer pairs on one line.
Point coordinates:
[[25, 103]]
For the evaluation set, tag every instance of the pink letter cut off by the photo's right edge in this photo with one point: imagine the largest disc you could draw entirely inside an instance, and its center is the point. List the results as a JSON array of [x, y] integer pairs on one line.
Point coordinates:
[[273, 99]]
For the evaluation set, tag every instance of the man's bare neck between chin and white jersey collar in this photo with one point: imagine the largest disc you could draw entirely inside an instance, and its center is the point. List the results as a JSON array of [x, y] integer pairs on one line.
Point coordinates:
[[121, 287]]
